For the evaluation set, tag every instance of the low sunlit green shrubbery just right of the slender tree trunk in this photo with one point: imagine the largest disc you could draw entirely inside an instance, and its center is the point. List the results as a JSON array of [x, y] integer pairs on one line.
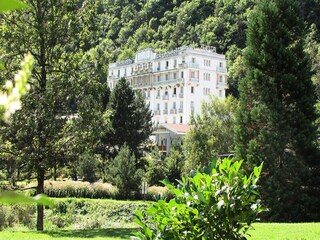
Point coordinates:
[[89, 213]]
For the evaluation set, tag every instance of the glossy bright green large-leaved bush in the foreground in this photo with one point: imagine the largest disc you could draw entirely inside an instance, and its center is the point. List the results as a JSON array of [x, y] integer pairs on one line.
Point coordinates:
[[221, 205]]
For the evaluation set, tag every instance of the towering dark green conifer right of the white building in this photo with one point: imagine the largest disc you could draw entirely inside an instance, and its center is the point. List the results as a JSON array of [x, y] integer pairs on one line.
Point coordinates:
[[276, 113]]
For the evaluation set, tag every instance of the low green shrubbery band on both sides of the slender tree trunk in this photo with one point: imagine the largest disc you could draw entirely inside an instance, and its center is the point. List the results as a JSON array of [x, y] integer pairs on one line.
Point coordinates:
[[73, 214]]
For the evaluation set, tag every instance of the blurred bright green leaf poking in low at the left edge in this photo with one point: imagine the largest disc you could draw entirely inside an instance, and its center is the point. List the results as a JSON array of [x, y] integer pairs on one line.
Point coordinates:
[[16, 198]]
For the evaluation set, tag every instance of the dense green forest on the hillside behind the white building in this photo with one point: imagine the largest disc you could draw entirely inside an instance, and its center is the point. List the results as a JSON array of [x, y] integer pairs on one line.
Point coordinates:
[[123, 27]]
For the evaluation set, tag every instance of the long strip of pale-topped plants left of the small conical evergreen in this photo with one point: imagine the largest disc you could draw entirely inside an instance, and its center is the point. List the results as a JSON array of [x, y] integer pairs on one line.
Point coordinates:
[[79, 189]]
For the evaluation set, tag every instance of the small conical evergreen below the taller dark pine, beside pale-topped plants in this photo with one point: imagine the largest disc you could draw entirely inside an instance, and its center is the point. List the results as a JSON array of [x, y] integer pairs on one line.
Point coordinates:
[[125, 174]]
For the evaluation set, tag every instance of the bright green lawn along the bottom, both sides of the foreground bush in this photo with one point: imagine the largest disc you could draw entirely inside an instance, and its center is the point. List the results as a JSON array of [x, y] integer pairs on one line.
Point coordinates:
[[263, 231]]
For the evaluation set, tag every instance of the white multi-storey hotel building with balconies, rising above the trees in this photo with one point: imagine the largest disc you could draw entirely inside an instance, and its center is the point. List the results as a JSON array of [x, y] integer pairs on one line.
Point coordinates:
[[175, 82]]
